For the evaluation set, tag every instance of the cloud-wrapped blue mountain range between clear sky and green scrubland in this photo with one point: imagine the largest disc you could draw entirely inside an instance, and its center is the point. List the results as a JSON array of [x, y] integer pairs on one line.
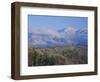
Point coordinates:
[[52, 38]]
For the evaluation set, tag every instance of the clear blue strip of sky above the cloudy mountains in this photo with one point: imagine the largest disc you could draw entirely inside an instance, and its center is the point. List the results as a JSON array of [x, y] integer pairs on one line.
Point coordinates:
[[56, 22]]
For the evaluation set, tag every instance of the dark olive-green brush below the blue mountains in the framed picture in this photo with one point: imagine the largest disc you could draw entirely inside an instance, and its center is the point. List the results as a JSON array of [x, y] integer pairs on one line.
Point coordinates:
[[57, 56]]
